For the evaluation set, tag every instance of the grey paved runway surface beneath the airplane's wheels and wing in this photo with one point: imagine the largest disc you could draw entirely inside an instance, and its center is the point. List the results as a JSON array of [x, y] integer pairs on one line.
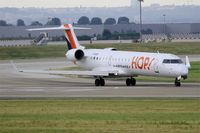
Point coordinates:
[[27, 85]]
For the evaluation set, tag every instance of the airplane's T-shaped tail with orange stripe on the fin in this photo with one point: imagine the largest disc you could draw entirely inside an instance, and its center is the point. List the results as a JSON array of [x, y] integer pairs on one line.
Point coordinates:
[[70, 37]]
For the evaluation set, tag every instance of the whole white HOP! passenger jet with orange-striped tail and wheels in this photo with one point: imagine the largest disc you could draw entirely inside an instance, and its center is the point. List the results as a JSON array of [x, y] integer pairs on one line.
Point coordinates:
[[108, 62]]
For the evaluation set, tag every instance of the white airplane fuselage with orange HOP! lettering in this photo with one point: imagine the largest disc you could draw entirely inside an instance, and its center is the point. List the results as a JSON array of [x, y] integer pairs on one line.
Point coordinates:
[[133, 63]]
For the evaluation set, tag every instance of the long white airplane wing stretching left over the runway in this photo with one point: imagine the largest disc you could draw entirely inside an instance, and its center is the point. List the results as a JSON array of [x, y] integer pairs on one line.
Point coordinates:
[[79, 73]]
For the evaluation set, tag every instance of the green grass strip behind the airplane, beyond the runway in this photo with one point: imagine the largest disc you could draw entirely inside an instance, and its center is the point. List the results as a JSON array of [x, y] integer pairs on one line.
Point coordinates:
[[27, 52]]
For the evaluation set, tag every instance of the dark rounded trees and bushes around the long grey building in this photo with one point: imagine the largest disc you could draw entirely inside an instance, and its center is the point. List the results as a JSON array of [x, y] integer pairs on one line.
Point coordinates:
[[84, 20]]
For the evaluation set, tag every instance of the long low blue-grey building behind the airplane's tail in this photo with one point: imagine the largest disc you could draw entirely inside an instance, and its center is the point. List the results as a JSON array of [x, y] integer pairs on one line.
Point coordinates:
[[172, 28]]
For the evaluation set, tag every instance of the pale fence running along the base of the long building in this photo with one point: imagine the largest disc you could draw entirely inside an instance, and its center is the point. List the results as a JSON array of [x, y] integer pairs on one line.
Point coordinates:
[[188, 37]]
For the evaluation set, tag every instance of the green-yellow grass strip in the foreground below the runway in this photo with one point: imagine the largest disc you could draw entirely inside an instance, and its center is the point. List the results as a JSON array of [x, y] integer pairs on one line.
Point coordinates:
[[100, 115]]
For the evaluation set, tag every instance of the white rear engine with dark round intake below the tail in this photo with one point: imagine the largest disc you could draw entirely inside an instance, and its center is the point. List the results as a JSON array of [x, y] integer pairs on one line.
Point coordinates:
[[75, 54]]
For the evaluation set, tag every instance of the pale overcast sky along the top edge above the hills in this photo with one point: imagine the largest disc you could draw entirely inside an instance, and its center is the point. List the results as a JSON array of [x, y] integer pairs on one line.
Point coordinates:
[[89, 3]]
